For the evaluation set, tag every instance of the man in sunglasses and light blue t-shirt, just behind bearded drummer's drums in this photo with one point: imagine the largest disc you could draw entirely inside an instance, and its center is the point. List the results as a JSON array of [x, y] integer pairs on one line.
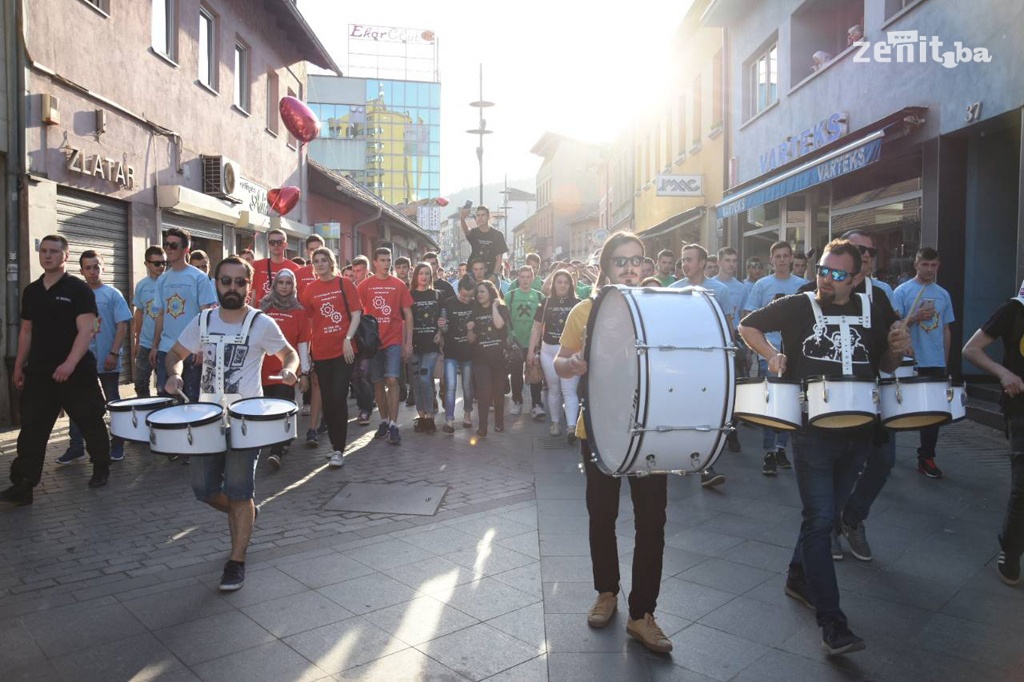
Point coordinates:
[[182, 292]]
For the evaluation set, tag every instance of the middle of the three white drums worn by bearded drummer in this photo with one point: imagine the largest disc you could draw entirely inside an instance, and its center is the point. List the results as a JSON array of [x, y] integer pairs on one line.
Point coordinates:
[[192, 430]]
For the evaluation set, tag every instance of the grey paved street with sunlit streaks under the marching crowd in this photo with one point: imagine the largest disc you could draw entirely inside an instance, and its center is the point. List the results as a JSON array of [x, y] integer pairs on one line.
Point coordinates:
[[120, 584]]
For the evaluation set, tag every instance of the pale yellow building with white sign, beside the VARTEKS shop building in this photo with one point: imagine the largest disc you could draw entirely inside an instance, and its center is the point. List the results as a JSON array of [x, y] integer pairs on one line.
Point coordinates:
[[681, 151]]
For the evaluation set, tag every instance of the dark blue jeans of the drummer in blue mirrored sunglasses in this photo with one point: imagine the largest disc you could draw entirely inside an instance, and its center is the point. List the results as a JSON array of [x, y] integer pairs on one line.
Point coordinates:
[[827, 464]]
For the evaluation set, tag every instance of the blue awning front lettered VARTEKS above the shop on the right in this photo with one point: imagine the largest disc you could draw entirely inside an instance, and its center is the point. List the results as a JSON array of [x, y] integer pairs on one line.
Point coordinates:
[[847, 159]]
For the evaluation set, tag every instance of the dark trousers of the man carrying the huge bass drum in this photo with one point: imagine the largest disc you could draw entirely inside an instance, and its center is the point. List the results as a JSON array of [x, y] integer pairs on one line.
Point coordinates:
[[650, 499]]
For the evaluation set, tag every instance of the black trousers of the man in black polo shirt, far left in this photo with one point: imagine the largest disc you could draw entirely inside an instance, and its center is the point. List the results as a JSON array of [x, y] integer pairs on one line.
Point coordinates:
[[41, 403]]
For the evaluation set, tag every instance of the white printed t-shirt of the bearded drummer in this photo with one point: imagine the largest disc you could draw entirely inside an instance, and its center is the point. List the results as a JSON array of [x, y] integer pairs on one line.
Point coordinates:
[[242, 362]]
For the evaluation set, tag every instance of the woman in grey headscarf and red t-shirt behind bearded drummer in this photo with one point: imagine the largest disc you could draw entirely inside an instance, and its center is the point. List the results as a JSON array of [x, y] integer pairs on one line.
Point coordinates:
[[282, 306]]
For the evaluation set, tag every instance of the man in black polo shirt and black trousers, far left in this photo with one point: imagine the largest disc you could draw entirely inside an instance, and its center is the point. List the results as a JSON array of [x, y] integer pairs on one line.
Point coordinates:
[[55, 370]]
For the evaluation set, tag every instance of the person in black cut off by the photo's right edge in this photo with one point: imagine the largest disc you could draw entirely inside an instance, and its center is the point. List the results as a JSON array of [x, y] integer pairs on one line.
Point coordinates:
[[1008, 324]]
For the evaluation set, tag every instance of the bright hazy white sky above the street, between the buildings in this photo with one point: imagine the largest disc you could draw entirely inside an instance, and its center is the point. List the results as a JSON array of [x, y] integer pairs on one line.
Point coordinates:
[[563, 66]]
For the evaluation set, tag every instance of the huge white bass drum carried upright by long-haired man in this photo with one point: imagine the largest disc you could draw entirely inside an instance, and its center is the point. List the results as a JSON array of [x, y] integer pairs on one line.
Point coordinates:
[[660, 385]]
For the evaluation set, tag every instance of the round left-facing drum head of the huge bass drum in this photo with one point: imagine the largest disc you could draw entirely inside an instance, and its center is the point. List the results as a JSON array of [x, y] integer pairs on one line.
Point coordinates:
[[611, 393]]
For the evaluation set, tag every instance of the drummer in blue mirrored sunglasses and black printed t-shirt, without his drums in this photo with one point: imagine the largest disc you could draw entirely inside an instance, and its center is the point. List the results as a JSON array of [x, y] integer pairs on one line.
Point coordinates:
[[831, 332]]
